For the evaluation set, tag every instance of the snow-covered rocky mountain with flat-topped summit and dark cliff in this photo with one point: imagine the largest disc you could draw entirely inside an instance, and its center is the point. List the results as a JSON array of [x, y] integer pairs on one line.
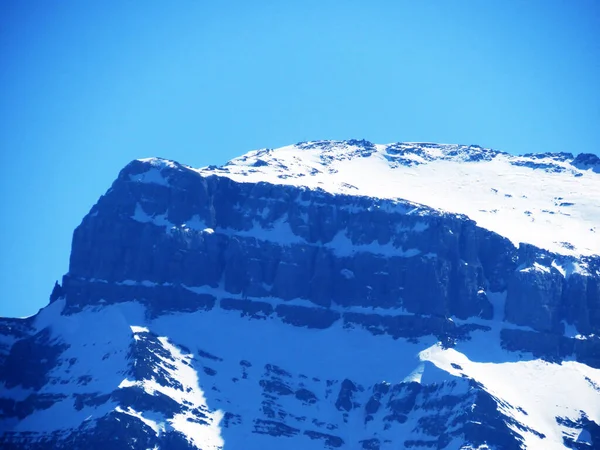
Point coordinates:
[[329, 294]]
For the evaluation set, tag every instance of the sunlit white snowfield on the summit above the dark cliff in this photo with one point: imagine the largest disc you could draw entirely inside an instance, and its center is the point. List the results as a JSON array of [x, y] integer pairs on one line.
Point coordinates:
[[557, 211]]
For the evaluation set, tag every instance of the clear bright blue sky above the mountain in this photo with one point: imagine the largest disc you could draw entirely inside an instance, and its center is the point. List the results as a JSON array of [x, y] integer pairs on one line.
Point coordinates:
[[88, 86]]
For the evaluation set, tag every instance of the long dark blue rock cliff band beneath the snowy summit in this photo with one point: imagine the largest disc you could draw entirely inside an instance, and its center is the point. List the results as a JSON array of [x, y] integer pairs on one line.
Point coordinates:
[[168, 231]]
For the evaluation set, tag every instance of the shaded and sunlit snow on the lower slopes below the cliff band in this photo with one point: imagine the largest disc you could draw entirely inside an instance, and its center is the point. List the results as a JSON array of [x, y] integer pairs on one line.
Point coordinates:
[[320, 359]]
